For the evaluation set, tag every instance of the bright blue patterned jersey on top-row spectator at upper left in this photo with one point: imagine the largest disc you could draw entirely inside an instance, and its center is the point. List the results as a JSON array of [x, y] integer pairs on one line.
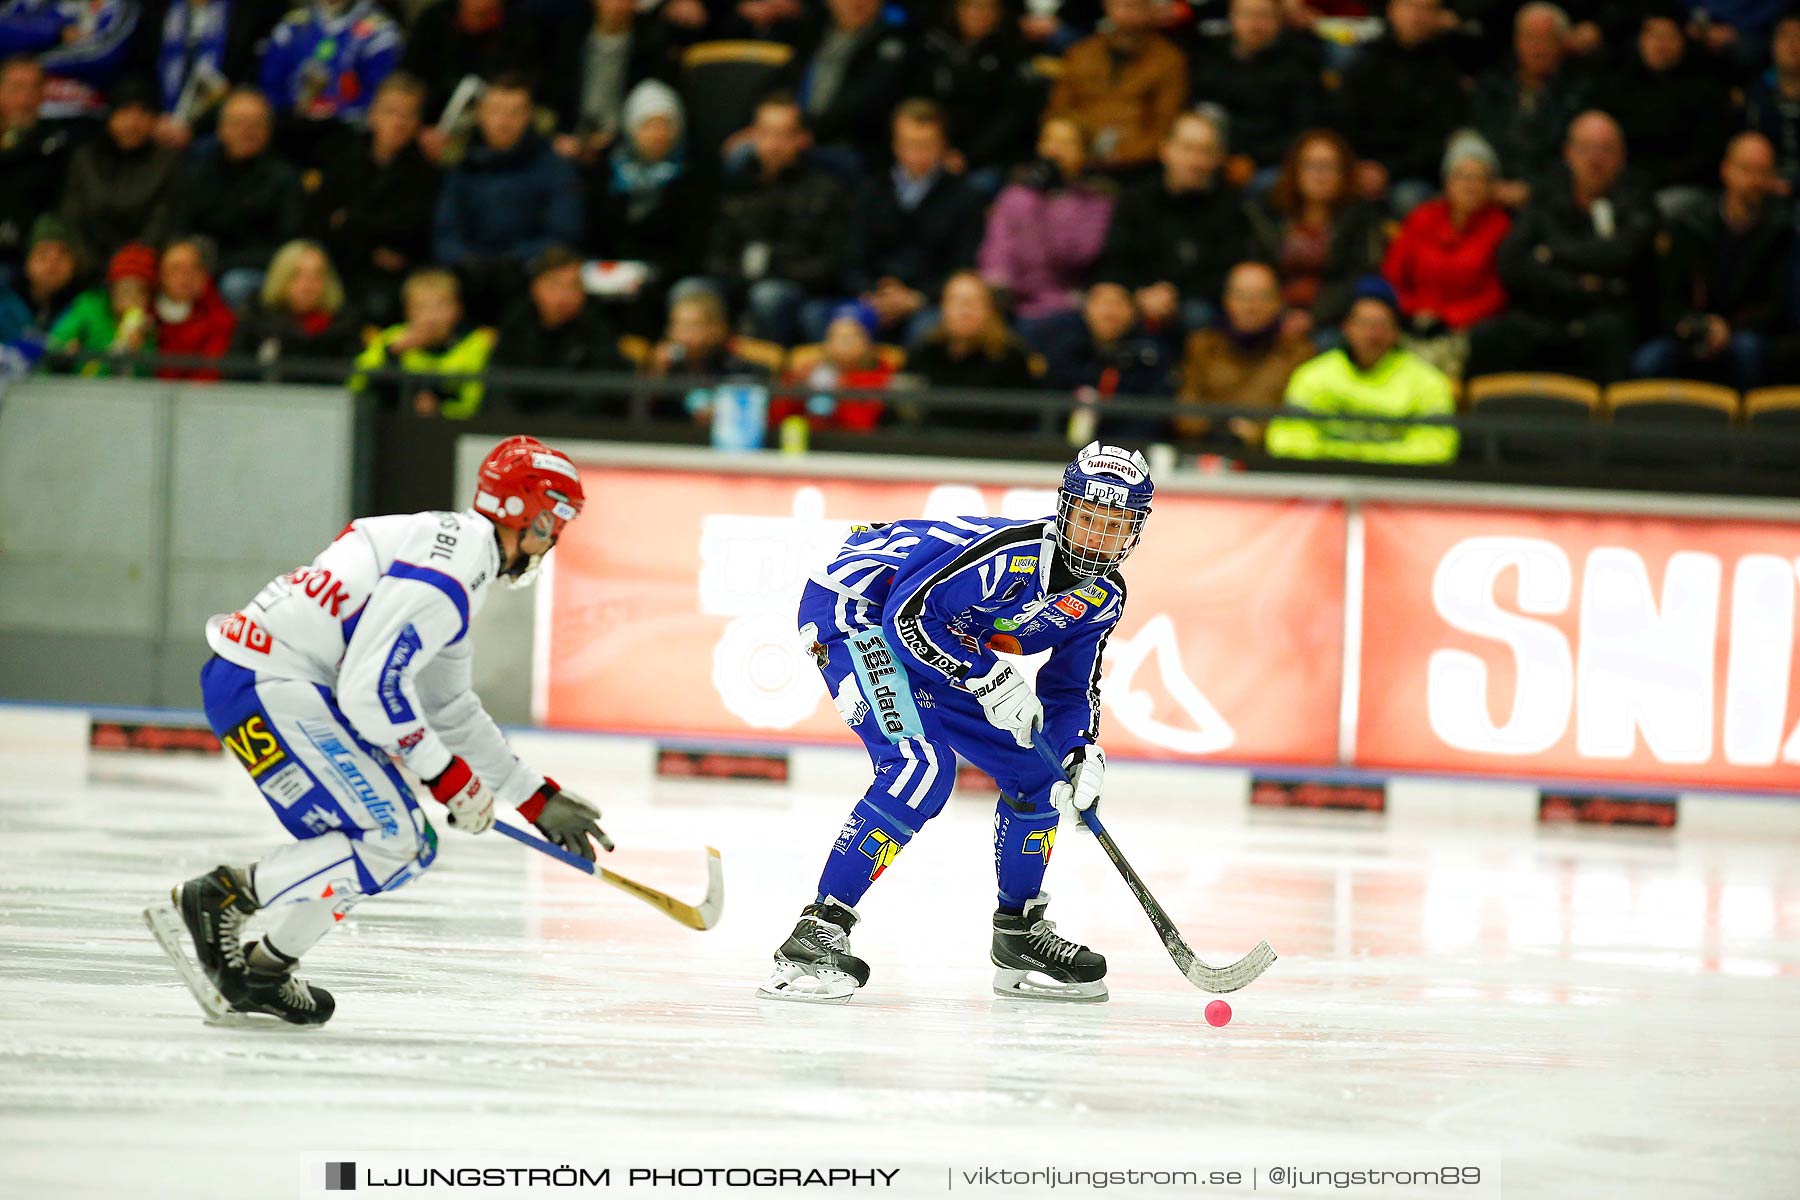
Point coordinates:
[[319, 66]]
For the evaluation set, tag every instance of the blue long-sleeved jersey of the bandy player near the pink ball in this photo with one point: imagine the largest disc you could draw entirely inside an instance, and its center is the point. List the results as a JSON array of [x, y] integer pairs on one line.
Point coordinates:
[[951, 593]]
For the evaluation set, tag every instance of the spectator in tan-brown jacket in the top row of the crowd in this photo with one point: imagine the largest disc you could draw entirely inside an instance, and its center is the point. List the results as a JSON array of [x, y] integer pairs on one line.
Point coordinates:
[[1124, 87]]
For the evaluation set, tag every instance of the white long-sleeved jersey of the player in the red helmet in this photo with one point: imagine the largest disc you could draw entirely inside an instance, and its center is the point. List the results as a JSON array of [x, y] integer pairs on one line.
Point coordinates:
[[381, 622]]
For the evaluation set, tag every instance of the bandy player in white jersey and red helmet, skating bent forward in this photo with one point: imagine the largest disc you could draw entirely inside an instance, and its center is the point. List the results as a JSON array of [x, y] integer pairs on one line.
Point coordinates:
[[334, 672]]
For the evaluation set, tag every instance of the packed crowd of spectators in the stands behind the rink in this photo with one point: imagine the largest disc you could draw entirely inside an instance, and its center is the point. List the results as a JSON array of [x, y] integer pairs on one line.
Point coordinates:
[[1335, 206]]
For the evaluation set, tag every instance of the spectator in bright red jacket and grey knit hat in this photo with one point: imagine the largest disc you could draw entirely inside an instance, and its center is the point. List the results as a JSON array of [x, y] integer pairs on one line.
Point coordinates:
[[1443, 265]]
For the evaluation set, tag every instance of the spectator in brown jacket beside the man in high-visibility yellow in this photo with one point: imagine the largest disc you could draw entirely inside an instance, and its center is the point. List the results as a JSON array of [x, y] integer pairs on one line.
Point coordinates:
[[1245, 363]]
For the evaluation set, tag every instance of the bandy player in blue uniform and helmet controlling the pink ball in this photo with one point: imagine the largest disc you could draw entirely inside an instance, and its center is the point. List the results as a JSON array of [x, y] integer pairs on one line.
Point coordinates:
[[904, 625]]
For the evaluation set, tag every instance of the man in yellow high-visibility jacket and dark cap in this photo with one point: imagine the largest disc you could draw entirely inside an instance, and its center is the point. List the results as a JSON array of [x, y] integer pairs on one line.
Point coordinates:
[[1371, 377]]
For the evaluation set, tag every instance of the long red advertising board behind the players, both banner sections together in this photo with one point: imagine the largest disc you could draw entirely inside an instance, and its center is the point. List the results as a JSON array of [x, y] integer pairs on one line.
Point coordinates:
[[1590, 640]]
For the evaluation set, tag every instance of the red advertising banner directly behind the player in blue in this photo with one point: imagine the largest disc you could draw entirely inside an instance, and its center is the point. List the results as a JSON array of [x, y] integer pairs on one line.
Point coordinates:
[[674, 613]]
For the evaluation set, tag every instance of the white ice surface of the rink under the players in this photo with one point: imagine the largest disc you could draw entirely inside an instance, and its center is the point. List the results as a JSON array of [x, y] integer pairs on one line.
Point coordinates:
[[1608, 1014]]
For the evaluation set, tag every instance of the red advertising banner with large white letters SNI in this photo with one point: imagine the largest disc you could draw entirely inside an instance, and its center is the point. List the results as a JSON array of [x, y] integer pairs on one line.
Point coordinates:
[[1581, 647]]
